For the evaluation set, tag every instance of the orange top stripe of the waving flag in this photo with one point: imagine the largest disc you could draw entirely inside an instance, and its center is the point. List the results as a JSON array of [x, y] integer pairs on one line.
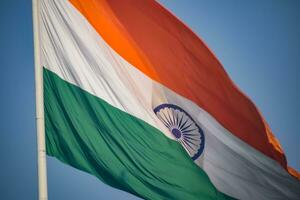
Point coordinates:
[[162, 47]]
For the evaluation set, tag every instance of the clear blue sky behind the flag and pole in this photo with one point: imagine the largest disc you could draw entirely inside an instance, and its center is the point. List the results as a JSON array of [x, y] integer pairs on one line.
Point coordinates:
[[257, 42]]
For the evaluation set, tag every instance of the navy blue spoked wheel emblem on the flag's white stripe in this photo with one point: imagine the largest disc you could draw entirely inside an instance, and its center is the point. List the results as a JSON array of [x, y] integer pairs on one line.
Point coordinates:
[[183, 127]]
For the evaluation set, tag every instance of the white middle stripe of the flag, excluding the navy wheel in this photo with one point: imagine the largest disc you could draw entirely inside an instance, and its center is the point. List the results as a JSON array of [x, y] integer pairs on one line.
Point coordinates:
[[72, 49]]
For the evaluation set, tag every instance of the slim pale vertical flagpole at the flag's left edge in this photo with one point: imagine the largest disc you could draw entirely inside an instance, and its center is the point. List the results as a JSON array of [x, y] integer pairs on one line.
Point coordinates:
[[39, 96]]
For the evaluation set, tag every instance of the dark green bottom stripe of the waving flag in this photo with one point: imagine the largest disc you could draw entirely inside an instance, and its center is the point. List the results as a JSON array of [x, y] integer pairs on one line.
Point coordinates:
[[123, 151]]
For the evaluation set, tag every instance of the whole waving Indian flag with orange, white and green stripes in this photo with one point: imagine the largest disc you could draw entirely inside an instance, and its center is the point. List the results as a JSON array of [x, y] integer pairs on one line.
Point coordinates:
[[135, 98]]
